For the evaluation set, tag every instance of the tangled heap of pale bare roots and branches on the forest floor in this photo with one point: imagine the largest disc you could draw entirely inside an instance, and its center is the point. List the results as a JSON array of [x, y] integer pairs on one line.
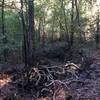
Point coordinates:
[[49, 80]]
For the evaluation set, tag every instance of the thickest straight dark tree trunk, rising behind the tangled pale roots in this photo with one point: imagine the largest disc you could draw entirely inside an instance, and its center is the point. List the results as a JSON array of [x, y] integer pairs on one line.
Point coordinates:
[[31, 40]]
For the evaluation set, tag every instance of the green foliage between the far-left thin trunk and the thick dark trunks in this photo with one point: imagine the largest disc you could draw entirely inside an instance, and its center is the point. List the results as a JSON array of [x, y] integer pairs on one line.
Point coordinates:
[[13, 33]]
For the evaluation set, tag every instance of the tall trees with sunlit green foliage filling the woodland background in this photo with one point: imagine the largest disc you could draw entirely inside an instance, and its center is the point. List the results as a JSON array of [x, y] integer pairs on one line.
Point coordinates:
[[29, 24]]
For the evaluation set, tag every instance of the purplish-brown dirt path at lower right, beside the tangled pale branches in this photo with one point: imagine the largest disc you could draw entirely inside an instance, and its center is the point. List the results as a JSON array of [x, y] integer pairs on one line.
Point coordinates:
[[91, 87]]
